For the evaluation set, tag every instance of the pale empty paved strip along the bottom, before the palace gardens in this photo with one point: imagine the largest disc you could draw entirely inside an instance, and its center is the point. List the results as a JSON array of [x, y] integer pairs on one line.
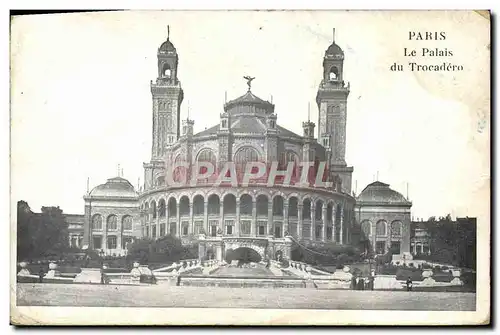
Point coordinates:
[[183, 296]]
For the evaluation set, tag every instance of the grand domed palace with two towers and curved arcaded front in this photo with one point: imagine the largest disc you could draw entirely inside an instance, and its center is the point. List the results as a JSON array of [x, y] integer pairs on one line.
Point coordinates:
[[262, 215]]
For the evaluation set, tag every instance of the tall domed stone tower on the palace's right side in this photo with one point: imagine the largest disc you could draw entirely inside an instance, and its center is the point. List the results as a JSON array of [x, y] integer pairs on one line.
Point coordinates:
[[332, 104]]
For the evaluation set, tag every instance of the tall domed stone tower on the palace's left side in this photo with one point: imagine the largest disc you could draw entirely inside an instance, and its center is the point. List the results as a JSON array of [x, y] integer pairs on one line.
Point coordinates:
[[167, 99]]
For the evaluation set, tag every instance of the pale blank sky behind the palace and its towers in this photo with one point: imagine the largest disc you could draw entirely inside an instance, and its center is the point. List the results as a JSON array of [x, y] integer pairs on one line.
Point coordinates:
[[81, 101]]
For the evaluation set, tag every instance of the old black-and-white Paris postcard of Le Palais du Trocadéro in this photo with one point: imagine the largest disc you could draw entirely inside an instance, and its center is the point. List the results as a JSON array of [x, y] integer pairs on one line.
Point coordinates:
[[332, 164]]
